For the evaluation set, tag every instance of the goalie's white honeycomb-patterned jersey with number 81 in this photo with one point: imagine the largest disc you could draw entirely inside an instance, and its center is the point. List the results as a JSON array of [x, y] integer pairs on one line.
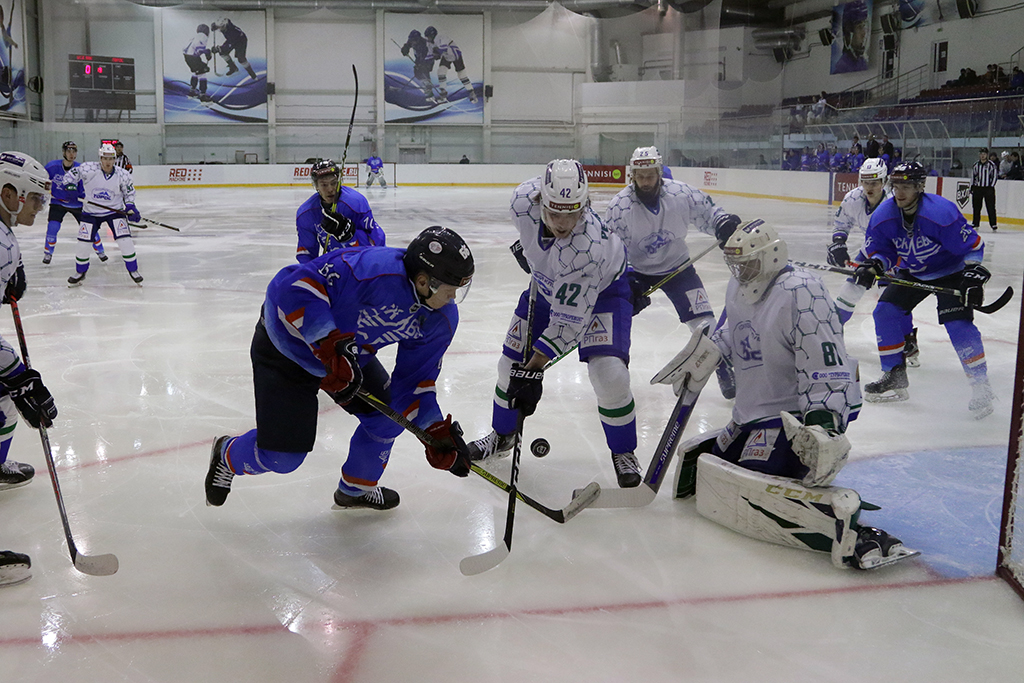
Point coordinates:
[[789, 352]]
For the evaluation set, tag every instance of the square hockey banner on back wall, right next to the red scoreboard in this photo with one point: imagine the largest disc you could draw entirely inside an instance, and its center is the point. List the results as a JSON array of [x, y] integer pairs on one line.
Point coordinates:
[[215, 66]]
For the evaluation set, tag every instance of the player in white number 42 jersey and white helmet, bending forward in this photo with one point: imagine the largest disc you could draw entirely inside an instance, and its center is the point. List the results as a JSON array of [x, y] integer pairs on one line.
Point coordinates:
[[583, 297]]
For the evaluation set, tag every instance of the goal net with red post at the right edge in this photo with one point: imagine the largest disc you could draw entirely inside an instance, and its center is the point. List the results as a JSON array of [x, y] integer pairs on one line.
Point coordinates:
[[1011, 563]]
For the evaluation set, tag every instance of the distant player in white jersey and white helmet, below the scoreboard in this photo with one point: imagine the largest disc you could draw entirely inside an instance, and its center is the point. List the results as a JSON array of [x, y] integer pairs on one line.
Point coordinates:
[[110, 199]]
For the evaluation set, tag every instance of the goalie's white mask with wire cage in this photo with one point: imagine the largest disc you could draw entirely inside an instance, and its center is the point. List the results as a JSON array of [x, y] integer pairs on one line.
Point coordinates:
[[755, 254]]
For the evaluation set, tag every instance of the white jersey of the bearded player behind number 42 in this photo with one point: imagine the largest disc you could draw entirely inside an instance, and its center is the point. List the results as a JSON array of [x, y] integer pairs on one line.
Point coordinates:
[[657, 241]]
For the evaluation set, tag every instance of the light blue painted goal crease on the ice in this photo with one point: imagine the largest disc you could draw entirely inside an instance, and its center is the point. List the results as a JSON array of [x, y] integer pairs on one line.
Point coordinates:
[[948, 504]]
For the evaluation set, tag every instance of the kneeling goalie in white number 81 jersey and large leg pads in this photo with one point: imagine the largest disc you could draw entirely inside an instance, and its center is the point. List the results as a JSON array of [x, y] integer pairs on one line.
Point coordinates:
[[766, 475]]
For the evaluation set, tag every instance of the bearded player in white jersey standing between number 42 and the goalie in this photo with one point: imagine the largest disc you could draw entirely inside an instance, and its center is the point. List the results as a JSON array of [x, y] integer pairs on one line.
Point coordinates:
[[654, 216]]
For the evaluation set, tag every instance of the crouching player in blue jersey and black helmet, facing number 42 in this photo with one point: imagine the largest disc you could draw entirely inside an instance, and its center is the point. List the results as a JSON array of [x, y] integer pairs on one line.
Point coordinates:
[[322, 326]]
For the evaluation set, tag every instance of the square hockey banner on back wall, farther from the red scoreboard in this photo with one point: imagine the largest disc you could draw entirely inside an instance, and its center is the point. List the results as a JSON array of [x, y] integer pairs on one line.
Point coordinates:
[[433, 69]]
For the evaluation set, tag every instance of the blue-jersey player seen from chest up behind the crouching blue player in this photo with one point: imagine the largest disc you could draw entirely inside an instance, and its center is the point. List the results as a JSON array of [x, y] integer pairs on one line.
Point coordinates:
[[350, 225]]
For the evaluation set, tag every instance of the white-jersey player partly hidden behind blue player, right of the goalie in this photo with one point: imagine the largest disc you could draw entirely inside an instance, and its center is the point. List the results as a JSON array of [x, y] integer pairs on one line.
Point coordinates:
[[854, 216]]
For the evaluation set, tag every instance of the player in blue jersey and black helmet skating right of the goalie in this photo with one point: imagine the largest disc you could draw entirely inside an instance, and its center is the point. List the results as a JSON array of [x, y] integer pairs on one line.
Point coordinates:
[[931, 242]]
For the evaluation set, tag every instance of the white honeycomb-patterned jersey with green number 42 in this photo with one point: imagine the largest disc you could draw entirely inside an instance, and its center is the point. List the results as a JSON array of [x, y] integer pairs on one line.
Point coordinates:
[[571, 273]]
